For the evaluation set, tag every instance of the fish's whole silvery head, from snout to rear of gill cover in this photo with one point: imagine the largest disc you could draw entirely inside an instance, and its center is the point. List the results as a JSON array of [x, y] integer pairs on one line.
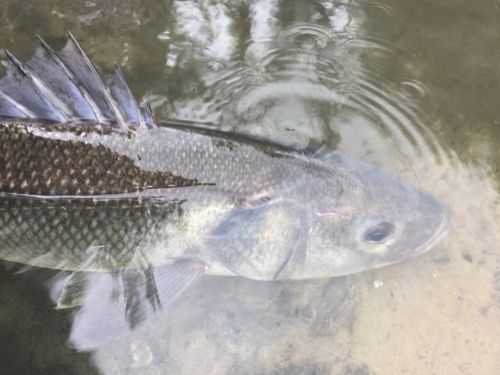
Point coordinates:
[[340, 216]]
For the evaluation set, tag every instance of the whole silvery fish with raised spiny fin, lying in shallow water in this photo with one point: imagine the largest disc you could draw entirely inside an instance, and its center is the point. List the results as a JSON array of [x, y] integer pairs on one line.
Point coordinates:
[[133, 212]]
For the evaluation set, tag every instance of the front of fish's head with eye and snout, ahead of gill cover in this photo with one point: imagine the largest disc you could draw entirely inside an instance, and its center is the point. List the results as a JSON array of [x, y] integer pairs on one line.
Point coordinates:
[[362, 218]]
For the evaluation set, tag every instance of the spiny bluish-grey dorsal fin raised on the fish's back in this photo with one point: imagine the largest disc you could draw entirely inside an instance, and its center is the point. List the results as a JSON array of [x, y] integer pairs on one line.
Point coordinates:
[[64, 87]]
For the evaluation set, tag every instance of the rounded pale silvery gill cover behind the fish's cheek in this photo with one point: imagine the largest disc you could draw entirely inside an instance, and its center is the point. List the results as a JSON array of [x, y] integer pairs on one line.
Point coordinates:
[[263, 243]]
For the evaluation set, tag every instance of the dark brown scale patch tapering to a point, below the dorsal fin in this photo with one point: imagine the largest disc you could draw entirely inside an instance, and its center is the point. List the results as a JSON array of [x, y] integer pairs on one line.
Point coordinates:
[[31, 164]]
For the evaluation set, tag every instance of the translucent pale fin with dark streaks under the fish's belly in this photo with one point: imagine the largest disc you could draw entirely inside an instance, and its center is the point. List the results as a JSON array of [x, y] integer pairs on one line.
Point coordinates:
[[114, 304]]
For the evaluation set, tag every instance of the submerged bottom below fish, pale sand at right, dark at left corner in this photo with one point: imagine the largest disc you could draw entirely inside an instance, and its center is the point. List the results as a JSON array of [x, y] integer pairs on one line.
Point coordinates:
[[435, 314]]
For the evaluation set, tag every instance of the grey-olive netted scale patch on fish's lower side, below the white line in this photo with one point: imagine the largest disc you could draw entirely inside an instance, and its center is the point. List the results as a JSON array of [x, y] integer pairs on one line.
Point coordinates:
[[65, 229]]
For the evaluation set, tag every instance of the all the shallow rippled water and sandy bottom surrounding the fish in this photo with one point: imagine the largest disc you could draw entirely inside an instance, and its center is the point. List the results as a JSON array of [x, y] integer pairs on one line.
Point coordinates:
[[409, 86]]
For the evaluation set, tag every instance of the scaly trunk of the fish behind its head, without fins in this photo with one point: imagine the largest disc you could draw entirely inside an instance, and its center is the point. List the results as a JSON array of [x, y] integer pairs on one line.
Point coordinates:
[[64, 229]]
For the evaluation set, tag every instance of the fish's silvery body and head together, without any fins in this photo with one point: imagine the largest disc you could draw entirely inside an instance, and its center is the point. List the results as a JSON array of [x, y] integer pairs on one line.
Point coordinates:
[[248, 208]]
